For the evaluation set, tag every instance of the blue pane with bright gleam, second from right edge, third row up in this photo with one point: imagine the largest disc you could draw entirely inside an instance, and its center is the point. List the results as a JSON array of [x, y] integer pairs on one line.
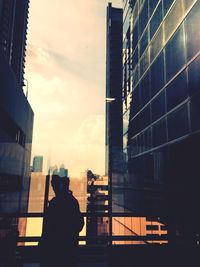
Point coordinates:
[[175, 54]]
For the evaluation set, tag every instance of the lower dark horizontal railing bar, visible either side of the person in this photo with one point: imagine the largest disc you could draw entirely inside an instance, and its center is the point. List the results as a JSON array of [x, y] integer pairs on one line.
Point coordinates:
[[105, 238]]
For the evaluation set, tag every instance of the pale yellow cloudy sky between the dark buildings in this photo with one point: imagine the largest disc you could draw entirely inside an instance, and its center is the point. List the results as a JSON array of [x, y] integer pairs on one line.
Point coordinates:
[[65, 69]]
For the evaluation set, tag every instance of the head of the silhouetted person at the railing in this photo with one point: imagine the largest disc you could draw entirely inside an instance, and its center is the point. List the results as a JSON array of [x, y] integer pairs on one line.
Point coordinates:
[[60, 184]]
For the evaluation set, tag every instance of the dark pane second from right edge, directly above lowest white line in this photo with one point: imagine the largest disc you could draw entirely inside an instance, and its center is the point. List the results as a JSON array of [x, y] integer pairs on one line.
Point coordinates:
[[178, 123]]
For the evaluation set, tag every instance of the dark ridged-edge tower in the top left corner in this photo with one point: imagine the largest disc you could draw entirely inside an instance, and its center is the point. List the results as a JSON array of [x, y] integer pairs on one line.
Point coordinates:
[[13, 27]]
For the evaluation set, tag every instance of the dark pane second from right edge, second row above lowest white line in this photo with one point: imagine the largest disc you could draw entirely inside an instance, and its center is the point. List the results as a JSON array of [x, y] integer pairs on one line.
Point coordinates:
[[177, 91]]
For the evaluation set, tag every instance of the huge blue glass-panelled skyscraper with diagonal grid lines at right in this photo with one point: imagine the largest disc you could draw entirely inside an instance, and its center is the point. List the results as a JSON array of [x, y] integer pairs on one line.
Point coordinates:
[[161, 99]]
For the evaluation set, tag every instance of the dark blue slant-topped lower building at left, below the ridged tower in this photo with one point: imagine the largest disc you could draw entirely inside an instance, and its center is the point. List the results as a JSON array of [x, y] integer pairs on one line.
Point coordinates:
[[16, 124]]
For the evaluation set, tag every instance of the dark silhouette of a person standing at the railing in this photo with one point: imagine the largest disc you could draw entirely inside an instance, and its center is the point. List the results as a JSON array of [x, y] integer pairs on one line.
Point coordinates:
[[61, 226]]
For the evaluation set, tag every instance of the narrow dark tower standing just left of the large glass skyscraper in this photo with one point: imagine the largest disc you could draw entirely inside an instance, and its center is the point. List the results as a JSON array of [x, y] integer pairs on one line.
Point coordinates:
[[114, 141]]
